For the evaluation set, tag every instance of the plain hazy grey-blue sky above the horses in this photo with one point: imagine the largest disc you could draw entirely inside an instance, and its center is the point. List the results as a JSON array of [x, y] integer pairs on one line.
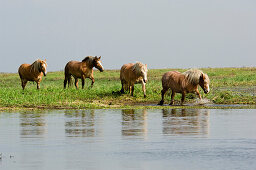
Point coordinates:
[[161, 33]]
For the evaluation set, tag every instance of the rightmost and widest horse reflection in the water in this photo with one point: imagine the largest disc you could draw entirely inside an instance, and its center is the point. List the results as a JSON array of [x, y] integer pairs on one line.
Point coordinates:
[[185, 122]]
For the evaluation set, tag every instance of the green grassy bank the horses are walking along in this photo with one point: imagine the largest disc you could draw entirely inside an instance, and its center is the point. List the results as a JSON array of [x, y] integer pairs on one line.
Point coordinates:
[[228, 86]]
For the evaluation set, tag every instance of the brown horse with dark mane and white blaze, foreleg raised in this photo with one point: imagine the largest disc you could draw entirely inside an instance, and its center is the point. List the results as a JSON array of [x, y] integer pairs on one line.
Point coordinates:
[[82, 70]]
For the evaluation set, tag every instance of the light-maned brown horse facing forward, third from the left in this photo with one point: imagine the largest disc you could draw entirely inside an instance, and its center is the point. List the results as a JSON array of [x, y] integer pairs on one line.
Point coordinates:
[[131, 74]]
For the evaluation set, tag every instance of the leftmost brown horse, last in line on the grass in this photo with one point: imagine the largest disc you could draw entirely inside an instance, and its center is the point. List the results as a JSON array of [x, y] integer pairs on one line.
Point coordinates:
[[32, 72]]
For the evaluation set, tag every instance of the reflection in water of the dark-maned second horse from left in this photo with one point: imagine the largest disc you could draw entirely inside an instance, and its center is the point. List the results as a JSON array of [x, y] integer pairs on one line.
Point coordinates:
[[80, 124]]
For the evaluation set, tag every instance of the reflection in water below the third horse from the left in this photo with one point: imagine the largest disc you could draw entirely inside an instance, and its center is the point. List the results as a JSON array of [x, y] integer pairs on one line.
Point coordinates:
[[134, 122]]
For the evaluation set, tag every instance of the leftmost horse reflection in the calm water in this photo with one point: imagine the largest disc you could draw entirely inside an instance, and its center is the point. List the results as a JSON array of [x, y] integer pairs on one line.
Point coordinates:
[[32, 124]]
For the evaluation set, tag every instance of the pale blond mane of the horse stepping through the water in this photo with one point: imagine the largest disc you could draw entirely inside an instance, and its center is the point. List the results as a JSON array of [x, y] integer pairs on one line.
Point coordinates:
[[193, 76]]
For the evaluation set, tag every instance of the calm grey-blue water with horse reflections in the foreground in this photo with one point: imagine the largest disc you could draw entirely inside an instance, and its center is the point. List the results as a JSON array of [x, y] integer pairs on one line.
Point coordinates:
[[129, 139]]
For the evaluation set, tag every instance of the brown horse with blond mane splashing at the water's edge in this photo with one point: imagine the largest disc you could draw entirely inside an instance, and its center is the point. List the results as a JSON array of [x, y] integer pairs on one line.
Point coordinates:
[[183, 83]]
